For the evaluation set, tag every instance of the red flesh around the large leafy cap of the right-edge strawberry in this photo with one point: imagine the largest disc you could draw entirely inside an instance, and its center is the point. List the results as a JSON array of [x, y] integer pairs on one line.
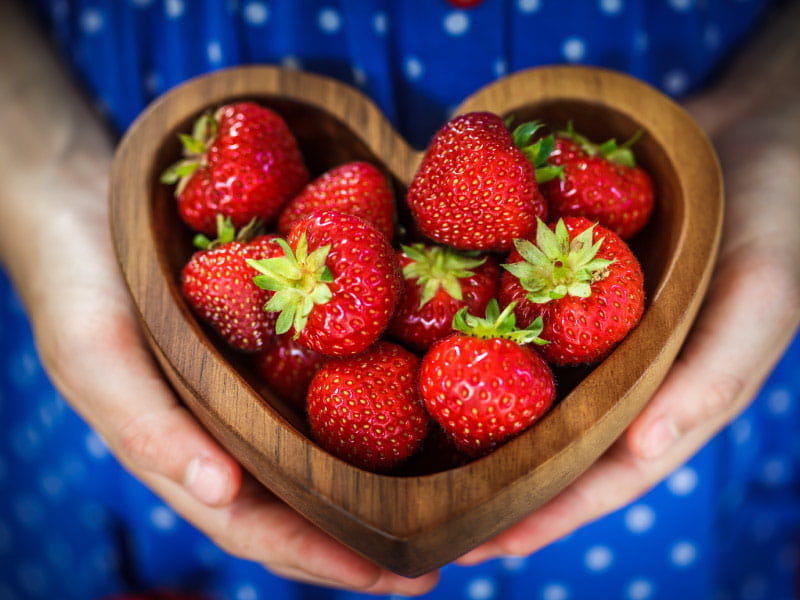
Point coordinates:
[[584, 330]]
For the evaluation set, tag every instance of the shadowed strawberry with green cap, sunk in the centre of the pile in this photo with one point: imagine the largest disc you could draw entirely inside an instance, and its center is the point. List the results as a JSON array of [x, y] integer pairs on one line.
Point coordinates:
[[438, 282]]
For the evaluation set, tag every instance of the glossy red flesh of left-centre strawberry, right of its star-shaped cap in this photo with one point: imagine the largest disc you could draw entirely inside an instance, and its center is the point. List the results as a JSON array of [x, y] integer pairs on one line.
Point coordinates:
[[366, 285]]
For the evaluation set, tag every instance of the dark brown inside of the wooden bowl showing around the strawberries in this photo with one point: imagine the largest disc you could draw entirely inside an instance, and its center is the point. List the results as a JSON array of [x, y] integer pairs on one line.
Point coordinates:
[[326, 141]]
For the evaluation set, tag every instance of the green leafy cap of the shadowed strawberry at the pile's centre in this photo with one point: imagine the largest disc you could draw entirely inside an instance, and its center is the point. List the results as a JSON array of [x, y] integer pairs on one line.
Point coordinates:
[[438, 267]]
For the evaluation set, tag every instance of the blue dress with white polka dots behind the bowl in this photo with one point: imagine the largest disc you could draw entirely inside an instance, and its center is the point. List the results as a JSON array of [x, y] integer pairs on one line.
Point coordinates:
[[75, 525]]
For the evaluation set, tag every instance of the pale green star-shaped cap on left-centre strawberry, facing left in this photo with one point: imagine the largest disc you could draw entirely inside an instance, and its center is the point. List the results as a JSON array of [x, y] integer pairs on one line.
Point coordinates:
[[300, 281]]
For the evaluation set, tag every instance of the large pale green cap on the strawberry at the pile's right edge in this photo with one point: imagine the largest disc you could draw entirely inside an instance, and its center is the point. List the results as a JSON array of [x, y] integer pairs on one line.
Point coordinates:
[[556, 266]]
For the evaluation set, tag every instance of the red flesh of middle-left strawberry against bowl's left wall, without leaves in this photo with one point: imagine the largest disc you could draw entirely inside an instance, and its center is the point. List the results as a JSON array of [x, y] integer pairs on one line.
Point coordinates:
[[218, 285]]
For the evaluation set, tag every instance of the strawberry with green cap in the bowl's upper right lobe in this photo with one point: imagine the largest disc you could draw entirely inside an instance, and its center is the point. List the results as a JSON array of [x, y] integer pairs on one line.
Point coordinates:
[[599, 182]]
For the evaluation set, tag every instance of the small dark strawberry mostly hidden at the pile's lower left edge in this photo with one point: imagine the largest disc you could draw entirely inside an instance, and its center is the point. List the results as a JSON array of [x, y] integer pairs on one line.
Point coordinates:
[[288, 367]]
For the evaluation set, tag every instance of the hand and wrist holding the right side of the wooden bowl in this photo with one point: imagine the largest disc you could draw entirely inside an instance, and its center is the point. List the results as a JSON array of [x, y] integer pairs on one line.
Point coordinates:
[[749, 316]]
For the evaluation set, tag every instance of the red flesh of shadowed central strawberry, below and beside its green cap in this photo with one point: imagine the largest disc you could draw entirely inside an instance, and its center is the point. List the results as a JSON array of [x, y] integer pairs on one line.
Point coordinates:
[[419, 327]]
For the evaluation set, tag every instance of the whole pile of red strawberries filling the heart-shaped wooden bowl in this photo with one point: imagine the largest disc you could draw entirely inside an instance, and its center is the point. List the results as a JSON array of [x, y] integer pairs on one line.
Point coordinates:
[[519, 263]]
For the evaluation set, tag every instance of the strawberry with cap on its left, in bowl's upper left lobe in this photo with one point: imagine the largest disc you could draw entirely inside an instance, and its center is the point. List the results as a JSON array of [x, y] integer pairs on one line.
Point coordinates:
[[242, 162]]
